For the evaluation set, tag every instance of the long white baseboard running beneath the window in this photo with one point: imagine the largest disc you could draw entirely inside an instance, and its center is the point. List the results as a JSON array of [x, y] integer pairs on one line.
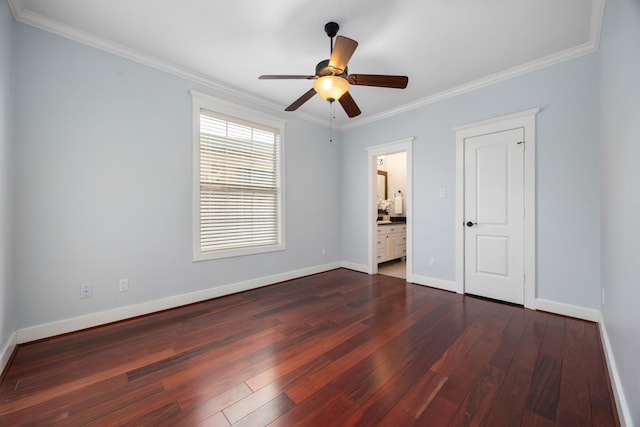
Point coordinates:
[[64, 326]]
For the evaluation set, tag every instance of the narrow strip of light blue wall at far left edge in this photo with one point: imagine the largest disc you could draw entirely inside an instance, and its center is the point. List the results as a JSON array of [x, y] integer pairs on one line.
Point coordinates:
[[7, 303]]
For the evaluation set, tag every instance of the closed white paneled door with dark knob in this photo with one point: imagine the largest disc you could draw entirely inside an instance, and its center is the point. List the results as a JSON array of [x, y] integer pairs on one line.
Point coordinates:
[[494, 215]]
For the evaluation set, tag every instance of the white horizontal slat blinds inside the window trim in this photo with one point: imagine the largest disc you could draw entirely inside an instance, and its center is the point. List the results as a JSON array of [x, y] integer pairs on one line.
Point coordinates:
[[240, 188]]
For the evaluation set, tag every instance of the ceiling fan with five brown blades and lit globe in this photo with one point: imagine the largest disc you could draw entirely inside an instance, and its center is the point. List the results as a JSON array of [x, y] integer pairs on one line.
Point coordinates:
[[332, 78]]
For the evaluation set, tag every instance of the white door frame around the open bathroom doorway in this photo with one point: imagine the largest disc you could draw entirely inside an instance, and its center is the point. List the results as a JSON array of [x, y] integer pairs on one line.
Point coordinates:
[[398, 146]]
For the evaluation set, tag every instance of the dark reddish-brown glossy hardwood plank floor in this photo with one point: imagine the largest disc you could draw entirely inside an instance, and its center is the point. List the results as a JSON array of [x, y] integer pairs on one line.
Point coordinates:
[[337, 348]]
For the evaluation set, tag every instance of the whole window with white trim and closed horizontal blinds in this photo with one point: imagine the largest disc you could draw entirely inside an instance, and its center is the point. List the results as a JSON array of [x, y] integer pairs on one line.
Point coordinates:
[[238, 192]]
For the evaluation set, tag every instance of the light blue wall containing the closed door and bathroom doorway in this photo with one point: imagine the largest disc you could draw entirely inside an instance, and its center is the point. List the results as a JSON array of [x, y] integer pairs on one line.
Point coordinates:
[[568, 177]]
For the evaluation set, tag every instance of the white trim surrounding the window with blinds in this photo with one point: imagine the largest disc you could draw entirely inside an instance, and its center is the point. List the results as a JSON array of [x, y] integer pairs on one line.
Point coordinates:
[[202, 101]]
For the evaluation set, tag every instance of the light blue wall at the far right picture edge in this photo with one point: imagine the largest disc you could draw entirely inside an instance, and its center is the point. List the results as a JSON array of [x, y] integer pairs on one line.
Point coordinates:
[[620, 68]]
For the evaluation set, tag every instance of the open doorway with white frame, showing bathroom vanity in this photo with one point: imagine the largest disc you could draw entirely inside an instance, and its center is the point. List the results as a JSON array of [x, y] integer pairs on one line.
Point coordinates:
[[390, 223]]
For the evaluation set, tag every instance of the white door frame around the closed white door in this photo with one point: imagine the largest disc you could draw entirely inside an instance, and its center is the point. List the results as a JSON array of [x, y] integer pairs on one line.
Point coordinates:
[[526, 120]]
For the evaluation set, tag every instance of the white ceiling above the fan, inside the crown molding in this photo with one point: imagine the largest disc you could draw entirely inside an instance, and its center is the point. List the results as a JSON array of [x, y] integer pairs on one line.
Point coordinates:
[[444, 46]]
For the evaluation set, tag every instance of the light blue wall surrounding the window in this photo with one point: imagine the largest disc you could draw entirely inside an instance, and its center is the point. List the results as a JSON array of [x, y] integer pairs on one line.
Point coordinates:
[[103, 185]]
